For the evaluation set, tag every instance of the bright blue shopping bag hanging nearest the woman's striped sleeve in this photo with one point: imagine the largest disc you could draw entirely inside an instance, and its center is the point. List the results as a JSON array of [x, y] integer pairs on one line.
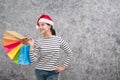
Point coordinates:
[[24, 57]]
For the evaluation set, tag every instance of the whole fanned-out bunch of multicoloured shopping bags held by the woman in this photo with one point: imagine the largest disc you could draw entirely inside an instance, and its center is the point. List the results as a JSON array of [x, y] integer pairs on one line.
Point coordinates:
[[16, 47]]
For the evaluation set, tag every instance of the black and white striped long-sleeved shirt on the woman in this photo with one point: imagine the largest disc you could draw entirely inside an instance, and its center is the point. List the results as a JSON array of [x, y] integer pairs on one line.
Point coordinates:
[[47, 53]]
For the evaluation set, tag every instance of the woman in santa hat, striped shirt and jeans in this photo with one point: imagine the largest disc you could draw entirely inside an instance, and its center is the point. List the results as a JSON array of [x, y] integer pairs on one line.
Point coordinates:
[[45, 53]]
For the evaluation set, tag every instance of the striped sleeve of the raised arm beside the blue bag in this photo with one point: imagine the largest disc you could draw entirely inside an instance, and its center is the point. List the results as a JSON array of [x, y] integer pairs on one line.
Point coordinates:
[[34, 54]]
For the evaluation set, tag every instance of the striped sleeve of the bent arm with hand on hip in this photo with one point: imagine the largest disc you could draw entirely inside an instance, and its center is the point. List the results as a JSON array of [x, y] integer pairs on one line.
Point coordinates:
[[64, 45]]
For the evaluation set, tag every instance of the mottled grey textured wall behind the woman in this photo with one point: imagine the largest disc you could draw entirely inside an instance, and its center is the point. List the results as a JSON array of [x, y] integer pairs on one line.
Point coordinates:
[[91, 27]]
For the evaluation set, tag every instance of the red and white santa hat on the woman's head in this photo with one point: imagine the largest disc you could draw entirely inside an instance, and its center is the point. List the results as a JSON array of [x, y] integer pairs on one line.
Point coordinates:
[[44, 18]]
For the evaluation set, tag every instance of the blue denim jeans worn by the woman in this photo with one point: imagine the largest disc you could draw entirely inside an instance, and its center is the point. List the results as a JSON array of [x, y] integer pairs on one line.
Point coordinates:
[[46, 75]]
